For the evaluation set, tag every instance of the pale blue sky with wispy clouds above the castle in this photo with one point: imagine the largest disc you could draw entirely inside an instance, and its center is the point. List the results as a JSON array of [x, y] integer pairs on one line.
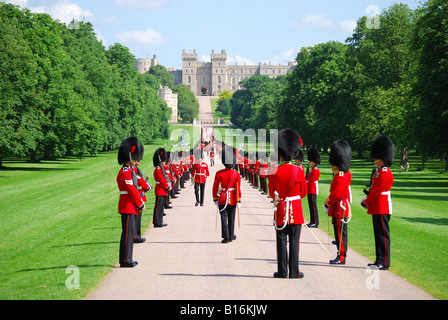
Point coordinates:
[[251, 31]]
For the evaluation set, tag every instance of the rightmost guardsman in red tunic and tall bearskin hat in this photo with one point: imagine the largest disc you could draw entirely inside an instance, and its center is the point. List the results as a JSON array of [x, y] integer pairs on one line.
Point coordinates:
[[378, 201]]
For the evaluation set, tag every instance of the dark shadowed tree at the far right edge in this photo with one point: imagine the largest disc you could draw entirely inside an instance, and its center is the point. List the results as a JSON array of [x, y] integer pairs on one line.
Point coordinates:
[[430, 40]]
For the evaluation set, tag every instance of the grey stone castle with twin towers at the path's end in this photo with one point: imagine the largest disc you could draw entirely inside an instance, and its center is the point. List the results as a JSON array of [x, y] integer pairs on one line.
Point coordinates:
[[211, 78]]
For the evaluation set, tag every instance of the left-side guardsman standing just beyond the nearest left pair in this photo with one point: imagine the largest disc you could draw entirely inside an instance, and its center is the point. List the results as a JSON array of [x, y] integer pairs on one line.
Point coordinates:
[[162, 187]]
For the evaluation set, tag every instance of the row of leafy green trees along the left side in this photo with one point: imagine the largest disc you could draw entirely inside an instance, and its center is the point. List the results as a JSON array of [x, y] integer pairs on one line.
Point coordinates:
[[62, 93]]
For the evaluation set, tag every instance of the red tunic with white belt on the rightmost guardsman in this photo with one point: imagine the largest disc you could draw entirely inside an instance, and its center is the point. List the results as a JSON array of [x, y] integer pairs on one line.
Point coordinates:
[[379, 200]]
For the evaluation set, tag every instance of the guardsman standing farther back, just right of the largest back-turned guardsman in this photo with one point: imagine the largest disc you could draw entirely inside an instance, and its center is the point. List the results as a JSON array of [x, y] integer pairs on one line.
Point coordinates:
[[312, 180]]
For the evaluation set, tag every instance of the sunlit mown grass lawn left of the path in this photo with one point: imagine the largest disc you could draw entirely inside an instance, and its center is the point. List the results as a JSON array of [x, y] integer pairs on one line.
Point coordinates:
[[57, 214]]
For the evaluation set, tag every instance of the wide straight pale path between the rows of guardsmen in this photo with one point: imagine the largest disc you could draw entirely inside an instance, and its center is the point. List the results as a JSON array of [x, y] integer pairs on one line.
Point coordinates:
[[187, 261]]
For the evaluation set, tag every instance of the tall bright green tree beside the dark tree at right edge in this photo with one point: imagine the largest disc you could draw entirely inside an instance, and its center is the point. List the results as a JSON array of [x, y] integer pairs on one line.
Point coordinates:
[[383, 64]]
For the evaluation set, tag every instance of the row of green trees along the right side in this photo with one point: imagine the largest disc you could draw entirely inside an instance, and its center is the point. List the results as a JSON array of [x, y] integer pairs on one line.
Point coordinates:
[[388, 78]]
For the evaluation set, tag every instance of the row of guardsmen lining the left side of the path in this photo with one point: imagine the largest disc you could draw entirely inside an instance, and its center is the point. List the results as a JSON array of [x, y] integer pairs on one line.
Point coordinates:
[[171, 172]]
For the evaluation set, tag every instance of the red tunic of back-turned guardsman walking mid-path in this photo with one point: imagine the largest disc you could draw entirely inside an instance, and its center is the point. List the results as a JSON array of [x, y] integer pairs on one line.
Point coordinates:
[[221, 187]]
